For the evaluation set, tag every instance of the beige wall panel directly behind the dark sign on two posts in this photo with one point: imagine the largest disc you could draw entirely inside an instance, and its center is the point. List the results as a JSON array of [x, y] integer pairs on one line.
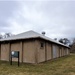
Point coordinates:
[[17, 47]]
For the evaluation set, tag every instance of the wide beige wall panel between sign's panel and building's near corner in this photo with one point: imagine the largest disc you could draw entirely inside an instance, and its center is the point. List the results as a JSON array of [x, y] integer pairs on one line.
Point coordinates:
[[29, 52]]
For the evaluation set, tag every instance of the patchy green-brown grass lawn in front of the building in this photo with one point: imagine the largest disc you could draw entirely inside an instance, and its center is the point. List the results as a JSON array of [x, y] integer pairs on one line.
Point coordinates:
[[61, 66]]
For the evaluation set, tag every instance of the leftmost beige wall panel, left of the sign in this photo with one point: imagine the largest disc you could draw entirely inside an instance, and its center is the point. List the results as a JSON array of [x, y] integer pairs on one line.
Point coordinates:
[[5, 52]]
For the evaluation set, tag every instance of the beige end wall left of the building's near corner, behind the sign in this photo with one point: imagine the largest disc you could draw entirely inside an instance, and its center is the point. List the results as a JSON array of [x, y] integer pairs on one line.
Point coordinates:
[[28, 48]]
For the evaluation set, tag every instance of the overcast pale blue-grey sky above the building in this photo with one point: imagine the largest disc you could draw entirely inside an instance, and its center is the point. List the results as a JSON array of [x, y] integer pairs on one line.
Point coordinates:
[[56, 18]]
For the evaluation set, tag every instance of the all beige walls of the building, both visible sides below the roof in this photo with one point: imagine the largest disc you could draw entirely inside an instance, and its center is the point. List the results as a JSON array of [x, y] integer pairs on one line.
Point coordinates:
[[32, 52]]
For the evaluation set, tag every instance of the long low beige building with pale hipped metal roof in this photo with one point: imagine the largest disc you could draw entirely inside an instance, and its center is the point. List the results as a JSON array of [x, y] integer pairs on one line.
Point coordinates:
[[33, 48]]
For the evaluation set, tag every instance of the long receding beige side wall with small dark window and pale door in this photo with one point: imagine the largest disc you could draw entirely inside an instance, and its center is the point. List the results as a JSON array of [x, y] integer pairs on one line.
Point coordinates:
[[60, 51]]
